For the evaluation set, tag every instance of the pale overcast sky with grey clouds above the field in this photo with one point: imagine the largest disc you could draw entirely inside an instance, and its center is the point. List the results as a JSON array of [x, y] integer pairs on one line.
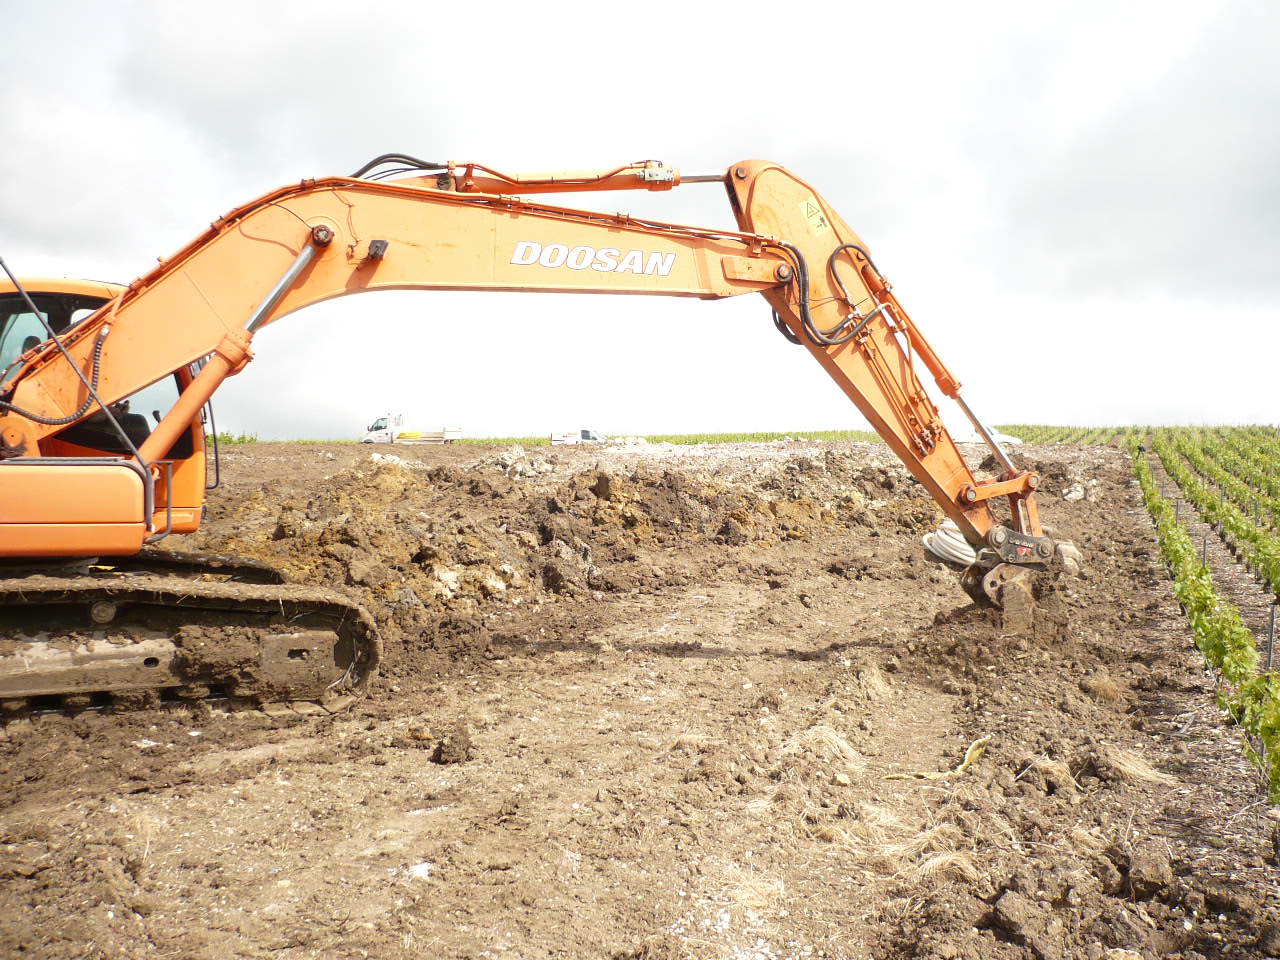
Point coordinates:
[[1078, 203]]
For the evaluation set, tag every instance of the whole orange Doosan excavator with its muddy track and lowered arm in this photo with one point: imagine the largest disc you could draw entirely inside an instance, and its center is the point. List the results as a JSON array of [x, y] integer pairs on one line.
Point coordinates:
[[106, 392]]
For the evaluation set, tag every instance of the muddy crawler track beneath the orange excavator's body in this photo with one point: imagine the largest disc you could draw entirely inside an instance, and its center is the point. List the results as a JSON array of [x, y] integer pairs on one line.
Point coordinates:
[[135, 641]]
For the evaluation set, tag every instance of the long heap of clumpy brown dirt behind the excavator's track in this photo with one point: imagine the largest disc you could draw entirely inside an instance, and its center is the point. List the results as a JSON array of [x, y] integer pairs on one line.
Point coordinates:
[[431, 551]]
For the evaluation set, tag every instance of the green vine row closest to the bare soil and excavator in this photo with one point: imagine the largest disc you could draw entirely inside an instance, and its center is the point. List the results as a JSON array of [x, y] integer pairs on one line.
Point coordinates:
[[1251, 698]]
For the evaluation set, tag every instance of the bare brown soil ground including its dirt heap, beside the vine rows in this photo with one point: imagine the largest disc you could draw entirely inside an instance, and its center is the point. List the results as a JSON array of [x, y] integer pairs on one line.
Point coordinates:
[[655, 705]]
